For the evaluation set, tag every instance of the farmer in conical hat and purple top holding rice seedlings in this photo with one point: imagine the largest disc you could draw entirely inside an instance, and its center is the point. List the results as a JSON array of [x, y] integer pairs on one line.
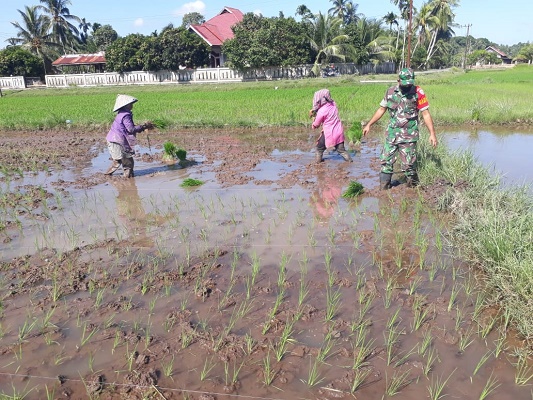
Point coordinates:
[[122, 136]]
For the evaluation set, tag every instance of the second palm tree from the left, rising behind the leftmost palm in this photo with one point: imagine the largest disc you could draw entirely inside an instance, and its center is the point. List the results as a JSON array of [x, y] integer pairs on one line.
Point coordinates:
[[63, 32]]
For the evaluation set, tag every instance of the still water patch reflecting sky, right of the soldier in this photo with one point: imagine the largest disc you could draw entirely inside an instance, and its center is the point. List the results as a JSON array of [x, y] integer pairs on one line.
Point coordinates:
[[507, 151]]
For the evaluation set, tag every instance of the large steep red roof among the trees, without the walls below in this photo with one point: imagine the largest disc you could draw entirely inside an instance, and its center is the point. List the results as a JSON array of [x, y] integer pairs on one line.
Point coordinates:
[[217, 30]]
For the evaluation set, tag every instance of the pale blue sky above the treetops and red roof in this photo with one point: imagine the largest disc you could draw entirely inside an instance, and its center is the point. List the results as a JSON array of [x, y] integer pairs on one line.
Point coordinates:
[[499, 21]]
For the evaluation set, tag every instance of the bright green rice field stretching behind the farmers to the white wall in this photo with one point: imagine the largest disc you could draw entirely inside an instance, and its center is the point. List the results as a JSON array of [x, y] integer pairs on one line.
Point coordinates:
[[456, 97]]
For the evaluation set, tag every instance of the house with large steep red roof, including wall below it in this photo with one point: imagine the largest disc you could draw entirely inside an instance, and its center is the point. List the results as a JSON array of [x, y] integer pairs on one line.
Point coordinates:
[[216, 31]]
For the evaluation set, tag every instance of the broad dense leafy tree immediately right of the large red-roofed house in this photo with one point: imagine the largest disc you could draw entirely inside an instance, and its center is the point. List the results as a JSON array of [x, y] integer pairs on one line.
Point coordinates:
[[262, 42]]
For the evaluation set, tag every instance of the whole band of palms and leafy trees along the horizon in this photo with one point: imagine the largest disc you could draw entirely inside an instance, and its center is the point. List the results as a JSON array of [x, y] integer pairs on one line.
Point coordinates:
[[425, 37]]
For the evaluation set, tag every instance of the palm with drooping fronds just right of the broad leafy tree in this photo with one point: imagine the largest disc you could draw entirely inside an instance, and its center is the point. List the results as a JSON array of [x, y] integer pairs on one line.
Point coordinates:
[[327, 41]]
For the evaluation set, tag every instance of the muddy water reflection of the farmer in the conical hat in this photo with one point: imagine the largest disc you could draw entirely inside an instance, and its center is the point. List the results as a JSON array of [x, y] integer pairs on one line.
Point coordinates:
[[131, 211]]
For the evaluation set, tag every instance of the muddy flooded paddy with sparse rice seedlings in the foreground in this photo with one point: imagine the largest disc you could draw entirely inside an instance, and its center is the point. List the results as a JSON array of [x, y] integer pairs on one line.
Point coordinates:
[[263, 282]]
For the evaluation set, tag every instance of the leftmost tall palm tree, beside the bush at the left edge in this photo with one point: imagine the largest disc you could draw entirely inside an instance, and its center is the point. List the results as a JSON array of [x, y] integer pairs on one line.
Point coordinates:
[[33, 34]]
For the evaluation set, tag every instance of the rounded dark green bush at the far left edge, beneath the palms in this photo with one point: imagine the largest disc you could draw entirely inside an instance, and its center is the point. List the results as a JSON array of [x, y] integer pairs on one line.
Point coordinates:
[[17, 61]]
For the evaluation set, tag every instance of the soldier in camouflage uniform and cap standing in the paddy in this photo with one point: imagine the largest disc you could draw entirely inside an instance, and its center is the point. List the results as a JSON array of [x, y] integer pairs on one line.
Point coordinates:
[[404, 102]]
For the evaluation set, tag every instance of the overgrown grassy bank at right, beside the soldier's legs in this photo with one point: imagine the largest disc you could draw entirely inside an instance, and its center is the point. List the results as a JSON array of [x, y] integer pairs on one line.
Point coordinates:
[[492, 230]]
